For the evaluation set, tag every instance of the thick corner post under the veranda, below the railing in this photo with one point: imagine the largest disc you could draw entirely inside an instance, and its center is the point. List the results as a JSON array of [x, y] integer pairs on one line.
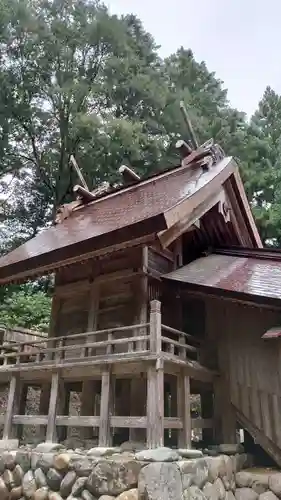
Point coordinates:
[[155, 405]]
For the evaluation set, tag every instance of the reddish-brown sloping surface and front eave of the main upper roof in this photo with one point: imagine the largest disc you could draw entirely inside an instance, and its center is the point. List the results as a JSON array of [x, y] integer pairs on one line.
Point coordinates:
[[130, 213]]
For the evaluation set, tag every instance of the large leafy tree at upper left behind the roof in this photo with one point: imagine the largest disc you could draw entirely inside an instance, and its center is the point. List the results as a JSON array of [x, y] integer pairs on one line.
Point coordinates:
[[73, 80]]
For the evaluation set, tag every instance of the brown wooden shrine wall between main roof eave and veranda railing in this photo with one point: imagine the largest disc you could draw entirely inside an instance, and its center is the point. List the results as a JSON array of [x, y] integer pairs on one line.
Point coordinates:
[[108, 292]]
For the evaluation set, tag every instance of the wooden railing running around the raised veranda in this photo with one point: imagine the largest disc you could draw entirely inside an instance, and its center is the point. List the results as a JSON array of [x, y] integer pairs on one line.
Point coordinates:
[[144, 338]]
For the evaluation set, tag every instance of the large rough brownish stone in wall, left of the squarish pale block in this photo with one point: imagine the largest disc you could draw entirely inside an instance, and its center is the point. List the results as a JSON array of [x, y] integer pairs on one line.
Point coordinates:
[[112, 478]]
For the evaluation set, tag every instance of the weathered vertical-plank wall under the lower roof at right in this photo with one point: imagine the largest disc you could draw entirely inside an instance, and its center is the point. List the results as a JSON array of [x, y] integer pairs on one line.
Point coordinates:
[[249, 387]]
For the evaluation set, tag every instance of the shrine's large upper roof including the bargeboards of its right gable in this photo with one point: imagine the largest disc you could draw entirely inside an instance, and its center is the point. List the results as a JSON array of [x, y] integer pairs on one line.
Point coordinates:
[[148, 207]]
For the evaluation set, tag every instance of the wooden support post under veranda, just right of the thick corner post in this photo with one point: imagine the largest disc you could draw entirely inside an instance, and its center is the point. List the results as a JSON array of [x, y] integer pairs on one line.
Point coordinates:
[[183, 397]]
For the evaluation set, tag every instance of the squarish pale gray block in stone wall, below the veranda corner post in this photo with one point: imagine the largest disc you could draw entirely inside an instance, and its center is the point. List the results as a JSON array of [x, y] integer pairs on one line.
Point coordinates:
[[160, 481]]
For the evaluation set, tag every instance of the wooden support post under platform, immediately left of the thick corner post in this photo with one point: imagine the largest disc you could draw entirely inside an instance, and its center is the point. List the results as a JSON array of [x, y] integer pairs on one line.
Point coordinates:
[[104, 430]]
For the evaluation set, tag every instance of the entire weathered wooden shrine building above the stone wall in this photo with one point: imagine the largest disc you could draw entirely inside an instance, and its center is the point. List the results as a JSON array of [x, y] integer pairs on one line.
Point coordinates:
[[162, 290]]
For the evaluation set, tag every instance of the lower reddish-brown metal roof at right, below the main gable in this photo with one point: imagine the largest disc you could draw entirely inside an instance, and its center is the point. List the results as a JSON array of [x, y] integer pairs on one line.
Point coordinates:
[[250, 276]]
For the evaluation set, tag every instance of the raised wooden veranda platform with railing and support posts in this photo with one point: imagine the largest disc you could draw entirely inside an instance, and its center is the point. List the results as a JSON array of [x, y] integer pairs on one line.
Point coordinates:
[[148, 354]]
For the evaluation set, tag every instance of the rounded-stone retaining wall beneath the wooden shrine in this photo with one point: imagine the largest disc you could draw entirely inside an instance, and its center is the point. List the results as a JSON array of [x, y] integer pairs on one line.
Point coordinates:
[[49, 472]]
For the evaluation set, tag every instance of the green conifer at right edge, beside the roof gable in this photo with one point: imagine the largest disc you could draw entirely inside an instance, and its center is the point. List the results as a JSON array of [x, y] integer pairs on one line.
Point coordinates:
[[261, 166]]
